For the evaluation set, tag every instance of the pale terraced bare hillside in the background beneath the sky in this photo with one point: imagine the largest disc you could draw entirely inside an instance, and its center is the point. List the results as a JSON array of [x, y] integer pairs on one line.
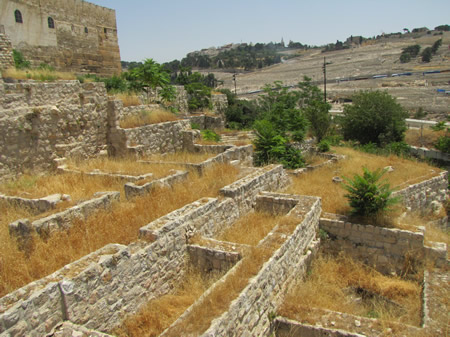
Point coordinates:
[[375, 57]]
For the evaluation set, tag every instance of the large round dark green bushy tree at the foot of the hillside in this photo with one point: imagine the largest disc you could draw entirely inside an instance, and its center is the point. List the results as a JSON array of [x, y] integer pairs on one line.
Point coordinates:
[[374, 117]]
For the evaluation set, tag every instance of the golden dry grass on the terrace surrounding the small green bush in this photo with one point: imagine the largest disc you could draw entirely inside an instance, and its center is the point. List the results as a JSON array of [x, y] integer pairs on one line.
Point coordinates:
[[319, 182]]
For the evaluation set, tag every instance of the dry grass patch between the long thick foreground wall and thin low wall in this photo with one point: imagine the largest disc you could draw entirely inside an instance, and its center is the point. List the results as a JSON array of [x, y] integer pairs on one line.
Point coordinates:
[[160, 313]]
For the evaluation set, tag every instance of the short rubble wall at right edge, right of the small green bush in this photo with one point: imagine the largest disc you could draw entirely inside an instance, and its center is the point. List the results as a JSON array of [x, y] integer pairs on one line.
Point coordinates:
[[426, 194]]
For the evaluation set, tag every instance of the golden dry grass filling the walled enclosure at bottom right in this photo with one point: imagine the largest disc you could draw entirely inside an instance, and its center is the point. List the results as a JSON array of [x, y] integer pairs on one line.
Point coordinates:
[[333, 285]]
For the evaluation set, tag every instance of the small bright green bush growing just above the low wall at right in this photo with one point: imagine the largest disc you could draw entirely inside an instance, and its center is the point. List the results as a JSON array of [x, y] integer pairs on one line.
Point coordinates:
[[368, 195]]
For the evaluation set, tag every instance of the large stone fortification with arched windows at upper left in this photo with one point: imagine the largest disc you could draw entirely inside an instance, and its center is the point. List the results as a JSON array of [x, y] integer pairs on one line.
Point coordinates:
[[69, 35]]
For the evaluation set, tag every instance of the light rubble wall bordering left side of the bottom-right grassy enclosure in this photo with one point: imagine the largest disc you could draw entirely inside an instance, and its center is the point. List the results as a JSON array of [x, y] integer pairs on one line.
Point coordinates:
[[248, 315]]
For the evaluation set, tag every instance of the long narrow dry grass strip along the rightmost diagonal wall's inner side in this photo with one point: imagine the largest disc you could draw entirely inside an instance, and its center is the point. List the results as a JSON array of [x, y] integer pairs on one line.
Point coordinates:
[[224, 292]]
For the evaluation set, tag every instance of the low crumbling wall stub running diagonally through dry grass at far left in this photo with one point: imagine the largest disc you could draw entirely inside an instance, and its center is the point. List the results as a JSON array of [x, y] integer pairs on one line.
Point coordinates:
[[44, 227]]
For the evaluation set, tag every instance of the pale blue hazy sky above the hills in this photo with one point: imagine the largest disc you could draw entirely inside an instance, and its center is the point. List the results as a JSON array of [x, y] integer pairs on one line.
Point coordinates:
[[169, 29]]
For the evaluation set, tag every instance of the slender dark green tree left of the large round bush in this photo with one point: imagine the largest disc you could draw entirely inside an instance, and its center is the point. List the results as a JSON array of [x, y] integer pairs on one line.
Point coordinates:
[[315, 109]]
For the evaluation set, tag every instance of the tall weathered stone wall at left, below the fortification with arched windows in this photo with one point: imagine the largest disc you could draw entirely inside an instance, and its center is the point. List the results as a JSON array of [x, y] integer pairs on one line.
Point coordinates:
[[43, 121]]
